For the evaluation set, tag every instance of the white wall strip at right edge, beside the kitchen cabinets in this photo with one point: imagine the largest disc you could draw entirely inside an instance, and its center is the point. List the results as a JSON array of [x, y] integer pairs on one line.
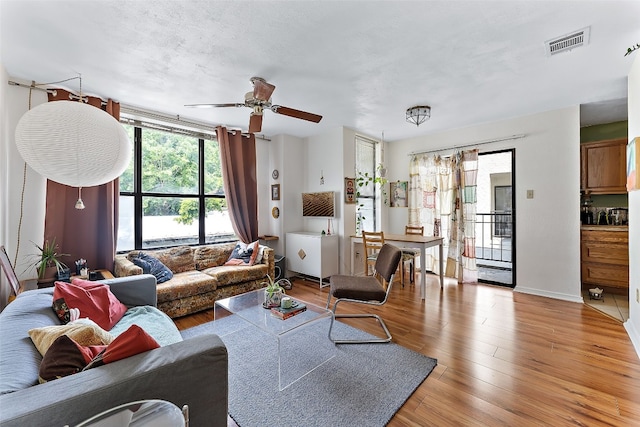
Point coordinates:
[[633, 324]]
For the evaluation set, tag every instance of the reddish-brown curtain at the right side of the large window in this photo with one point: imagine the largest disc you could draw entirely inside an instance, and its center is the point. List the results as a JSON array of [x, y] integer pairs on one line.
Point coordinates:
[[238, 159]]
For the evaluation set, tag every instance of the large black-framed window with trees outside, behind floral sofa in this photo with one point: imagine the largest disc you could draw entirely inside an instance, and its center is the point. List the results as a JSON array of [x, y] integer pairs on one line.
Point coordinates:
[[172, 193]]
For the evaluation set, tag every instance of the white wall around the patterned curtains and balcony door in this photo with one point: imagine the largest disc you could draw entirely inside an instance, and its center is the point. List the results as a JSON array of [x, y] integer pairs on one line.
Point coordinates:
[[548, 162]]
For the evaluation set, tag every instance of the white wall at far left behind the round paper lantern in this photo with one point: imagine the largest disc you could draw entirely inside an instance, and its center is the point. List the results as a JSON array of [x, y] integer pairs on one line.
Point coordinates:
[[15, 102]]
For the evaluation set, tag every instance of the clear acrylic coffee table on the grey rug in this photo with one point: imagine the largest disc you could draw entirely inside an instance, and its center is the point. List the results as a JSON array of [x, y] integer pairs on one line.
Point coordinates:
[[297, 356]]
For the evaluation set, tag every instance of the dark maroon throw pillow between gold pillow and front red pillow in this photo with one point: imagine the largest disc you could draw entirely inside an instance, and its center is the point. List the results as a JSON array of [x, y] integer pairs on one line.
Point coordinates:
[[65, 357]]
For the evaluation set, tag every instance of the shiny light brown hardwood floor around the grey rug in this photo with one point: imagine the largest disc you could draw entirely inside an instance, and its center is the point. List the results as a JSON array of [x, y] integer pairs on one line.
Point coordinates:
[[504, 358]]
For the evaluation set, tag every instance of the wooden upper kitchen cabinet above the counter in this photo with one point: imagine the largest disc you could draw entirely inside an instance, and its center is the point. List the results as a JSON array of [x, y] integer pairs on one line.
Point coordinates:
[[603, 166]]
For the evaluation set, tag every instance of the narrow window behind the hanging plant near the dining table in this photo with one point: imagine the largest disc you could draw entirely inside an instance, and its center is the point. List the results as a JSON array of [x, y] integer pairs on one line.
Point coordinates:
[[367, 194]]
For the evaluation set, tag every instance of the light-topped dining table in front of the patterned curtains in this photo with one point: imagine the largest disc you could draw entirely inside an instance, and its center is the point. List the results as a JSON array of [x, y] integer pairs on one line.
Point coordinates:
[[410, 241]]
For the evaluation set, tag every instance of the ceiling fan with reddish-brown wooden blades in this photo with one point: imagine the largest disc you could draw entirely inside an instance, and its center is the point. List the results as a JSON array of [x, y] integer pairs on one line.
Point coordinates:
[[260, 100]]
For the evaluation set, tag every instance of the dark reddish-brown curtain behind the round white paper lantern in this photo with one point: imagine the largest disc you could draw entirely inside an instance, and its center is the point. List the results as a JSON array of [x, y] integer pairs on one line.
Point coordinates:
[[90, 233]]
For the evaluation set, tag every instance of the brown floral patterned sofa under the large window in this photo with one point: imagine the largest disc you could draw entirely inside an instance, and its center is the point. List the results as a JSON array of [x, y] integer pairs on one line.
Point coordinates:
[[199, 275]]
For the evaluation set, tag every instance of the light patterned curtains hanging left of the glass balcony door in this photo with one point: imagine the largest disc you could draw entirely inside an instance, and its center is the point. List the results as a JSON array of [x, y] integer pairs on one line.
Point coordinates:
[[442, 198]]
